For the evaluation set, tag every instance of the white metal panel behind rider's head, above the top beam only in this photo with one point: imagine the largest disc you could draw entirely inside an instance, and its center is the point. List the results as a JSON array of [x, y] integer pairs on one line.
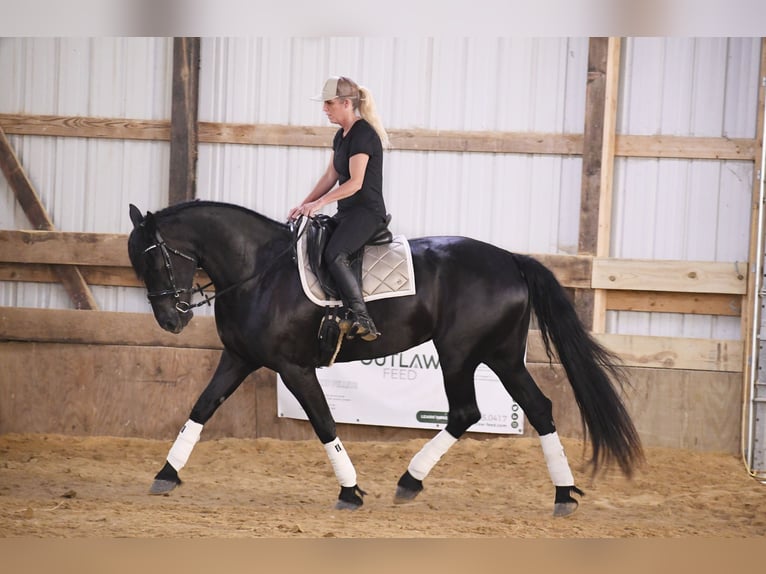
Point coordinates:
[[462, 84]]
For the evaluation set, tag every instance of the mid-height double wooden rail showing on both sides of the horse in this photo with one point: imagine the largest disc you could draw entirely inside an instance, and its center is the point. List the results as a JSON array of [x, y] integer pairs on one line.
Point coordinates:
[[695, 287]]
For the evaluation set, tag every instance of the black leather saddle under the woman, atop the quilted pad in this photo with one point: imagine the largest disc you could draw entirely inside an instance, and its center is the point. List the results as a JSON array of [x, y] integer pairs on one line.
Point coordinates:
[[318, 233]]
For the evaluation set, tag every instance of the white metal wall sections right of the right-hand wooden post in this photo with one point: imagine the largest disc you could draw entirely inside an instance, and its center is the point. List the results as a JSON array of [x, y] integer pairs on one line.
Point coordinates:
[[696, 210]]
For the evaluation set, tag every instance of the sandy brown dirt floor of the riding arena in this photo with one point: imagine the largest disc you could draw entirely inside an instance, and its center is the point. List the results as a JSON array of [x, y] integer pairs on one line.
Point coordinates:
[[55, 486]]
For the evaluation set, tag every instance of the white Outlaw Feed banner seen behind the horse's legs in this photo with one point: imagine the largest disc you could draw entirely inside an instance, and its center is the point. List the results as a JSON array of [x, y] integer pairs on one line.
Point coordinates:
[[404, 390]]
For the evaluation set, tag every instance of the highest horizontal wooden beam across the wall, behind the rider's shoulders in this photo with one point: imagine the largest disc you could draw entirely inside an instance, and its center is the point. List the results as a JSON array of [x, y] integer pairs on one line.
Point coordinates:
[[651, 146]]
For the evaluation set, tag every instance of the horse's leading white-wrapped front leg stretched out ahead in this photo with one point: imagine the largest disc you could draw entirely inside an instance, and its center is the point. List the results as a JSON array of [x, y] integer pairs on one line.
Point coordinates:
[[229, 374]]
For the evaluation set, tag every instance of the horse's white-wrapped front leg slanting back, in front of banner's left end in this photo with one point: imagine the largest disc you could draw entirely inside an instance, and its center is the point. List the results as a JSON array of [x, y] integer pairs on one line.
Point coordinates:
[[303, 384]]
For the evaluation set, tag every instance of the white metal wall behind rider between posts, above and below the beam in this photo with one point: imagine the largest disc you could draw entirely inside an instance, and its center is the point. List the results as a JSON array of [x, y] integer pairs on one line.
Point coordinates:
[[450, 84]]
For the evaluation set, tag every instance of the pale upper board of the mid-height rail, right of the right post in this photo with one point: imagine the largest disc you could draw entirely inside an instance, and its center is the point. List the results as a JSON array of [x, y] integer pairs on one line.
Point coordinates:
[[666, 275]]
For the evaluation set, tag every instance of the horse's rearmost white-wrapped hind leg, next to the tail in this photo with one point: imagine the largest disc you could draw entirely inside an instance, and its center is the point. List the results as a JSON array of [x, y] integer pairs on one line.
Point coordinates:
[[538, 410]]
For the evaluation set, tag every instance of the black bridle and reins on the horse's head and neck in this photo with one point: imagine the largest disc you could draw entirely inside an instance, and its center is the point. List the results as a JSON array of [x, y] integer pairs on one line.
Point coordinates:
[[183, 306]]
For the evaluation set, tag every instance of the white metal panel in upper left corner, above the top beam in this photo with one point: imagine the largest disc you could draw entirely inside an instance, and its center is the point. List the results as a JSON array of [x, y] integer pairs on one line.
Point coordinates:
[[106, 77]]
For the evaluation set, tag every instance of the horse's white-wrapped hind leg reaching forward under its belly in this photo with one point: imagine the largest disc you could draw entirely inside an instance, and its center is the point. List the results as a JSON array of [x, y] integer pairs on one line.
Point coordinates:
[[463, 412]]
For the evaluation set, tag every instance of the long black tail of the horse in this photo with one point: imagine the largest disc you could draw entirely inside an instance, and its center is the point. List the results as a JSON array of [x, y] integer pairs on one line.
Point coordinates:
[[589, 366]]
